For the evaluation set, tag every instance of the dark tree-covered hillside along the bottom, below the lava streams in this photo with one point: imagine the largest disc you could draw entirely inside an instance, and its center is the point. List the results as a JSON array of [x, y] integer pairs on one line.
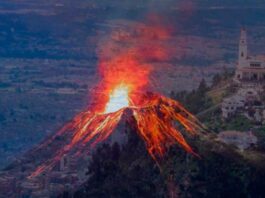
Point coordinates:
[[130, 172]]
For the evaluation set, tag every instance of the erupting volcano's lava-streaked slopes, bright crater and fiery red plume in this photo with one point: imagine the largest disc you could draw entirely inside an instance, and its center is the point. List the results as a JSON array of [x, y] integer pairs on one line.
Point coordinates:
[[159, 120]]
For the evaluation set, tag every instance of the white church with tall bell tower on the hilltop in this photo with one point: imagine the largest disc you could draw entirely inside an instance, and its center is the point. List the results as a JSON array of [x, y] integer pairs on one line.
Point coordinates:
[[249, 68]]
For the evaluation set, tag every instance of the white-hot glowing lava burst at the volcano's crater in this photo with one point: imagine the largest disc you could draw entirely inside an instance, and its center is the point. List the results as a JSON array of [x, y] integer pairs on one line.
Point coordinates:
[[119, 99]]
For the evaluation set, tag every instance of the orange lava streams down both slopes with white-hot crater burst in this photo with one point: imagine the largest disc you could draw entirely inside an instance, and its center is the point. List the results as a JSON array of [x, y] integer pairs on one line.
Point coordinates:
[[155, 120]]
